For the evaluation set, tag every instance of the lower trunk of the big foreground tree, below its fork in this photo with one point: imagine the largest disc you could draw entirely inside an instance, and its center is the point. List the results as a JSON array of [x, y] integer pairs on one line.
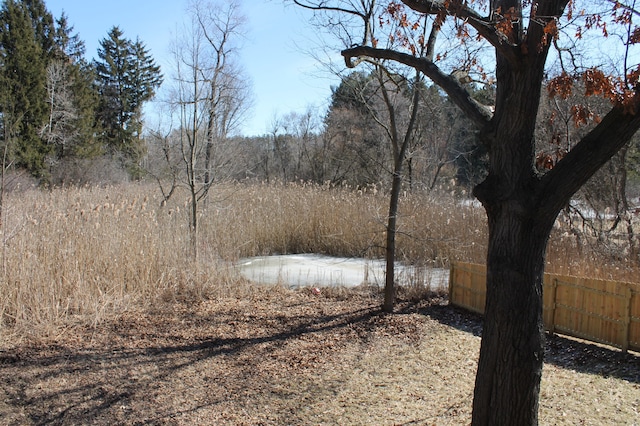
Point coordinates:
[[511, 354]]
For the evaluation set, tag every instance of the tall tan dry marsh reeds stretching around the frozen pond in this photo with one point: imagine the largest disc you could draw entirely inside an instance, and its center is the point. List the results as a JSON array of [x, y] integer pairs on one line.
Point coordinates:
[[82, 254]]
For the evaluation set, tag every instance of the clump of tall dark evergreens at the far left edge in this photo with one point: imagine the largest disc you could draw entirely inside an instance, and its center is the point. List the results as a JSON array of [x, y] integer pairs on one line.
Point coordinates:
[[47, 100]]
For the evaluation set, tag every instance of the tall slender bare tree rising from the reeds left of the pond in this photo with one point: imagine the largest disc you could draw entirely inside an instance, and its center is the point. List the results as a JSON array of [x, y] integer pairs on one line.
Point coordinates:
[[210, 97]]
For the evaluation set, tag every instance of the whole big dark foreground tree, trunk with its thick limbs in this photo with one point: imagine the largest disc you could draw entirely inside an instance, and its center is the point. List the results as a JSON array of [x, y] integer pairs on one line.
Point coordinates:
[[521, 206]]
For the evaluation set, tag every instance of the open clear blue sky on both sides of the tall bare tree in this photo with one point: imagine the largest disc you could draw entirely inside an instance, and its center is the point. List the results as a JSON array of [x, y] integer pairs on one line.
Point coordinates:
[[285, 78]]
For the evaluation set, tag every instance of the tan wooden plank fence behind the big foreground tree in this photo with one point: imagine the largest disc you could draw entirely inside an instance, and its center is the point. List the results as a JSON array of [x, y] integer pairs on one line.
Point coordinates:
[[601, 311]]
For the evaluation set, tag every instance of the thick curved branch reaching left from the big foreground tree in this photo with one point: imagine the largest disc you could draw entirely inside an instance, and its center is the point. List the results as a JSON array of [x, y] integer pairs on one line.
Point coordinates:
[[478, 113]]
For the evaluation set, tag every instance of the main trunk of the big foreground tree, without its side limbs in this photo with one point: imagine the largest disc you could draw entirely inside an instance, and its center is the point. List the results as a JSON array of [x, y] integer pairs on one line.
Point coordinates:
[[511, 353]]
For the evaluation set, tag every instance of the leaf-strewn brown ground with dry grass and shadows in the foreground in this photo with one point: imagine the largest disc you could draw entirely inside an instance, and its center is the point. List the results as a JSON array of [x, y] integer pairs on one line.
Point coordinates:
[[292, 358]]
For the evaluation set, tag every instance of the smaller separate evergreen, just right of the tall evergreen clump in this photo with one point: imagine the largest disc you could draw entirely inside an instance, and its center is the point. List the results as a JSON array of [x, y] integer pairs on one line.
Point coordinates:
[[126, 77]]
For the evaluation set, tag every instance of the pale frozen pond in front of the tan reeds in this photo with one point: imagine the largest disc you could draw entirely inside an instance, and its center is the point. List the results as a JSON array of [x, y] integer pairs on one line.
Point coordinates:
[[306, 270]]
